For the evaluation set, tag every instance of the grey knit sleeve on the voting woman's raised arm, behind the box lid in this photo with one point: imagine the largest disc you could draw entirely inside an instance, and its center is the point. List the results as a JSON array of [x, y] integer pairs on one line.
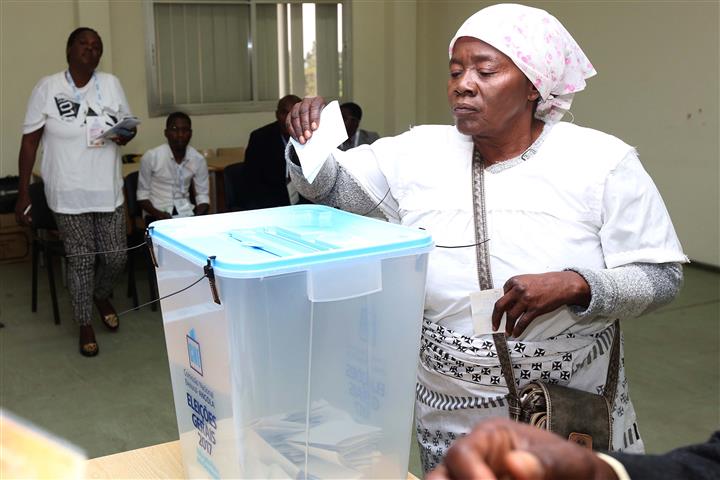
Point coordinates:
[[334, 186]]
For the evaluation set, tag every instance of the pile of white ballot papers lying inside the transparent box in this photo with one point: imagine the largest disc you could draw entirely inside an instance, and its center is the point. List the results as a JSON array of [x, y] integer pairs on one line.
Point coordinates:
[[336, 445]]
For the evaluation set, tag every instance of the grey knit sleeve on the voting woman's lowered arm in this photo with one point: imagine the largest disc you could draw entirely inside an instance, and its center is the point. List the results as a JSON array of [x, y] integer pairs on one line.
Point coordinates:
[[630, 290]]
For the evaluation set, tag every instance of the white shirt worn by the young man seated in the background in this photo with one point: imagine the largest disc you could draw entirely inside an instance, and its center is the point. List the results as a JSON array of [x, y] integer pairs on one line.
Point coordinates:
[[166, 183]]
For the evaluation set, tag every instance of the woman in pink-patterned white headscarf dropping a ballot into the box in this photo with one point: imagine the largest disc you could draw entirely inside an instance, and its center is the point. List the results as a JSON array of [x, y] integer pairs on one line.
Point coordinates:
[[562, 220]]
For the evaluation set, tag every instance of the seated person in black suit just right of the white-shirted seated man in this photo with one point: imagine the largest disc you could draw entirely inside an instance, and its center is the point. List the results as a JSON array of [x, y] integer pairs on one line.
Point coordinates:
[[265, 170]]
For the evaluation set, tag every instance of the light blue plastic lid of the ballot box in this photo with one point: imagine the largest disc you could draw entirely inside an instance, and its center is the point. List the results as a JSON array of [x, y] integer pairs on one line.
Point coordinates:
[[260, 243]]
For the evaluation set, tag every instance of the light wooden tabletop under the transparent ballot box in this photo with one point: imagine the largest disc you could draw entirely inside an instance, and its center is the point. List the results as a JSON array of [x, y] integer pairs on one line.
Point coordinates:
[[158, 461]]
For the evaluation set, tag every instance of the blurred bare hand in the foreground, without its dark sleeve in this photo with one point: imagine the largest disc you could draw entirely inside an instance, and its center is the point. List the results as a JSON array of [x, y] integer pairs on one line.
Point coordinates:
[[502, 448]]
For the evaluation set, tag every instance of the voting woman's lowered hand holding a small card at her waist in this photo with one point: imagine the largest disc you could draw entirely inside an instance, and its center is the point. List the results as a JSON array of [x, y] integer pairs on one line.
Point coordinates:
[[529, 296]]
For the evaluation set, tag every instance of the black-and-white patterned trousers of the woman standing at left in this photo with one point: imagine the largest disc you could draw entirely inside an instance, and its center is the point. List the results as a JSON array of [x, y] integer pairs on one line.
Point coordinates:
[[88, 233]]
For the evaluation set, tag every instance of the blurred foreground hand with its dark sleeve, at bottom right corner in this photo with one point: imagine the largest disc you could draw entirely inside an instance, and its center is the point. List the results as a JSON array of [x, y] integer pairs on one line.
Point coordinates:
[[502, 448]]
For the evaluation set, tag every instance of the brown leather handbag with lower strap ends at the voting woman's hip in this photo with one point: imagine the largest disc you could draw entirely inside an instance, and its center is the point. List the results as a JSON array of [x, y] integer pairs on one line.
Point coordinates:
[[579, 416]]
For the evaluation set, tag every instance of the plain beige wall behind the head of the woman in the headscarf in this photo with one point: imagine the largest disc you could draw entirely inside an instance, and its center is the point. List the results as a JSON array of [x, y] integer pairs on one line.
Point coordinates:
[[657, 88]]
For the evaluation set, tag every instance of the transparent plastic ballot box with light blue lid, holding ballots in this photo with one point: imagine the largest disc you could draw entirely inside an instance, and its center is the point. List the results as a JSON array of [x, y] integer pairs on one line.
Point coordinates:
[[295, 356]]
